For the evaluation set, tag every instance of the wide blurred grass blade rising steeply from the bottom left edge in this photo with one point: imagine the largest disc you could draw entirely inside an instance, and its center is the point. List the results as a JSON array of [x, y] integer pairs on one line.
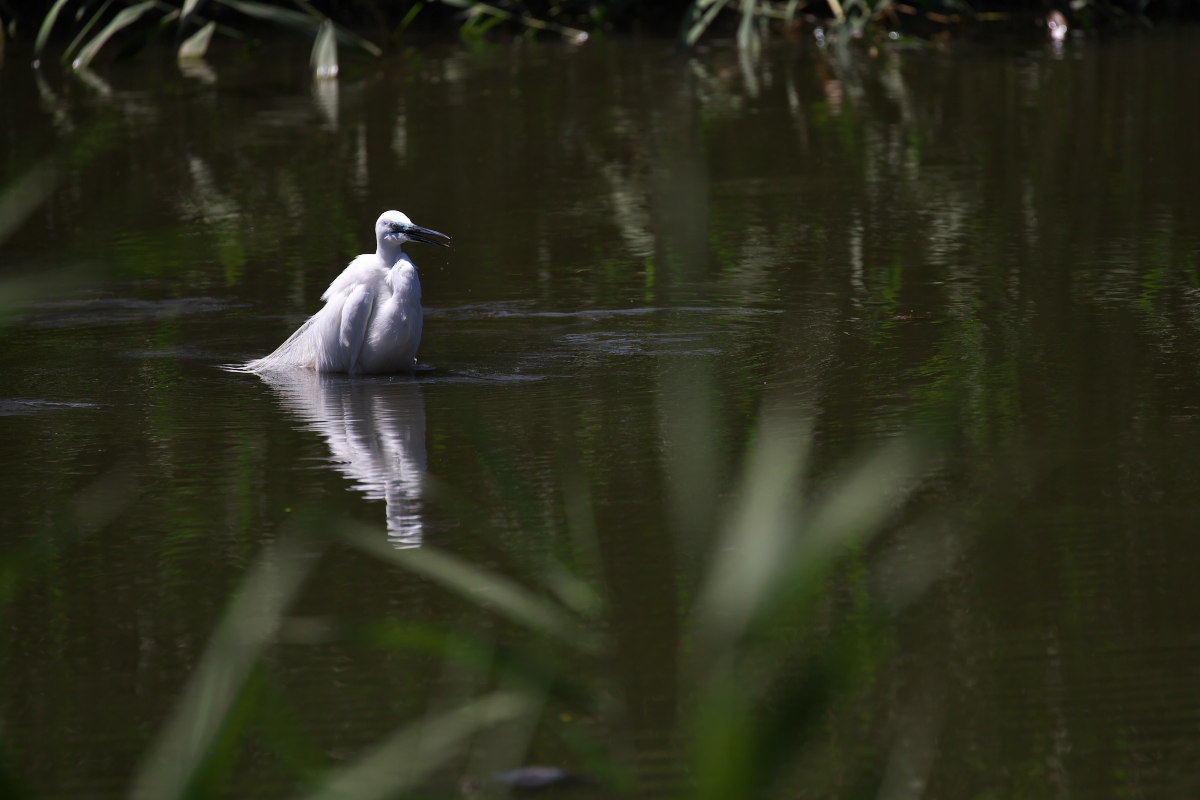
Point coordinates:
[[248, 628]]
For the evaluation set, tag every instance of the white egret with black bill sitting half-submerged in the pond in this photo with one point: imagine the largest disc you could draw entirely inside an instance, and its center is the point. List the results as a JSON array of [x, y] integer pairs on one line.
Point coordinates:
[[373, 317]]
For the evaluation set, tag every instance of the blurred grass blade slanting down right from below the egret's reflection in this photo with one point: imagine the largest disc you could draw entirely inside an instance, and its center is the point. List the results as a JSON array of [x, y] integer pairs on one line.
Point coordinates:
[[488, 590]]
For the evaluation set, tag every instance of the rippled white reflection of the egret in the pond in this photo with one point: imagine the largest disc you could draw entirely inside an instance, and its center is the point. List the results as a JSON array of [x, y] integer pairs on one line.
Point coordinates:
[[376, 435]]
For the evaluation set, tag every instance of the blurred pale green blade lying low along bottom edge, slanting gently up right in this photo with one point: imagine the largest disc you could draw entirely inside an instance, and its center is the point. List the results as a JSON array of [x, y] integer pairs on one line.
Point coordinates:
[[407, 757]]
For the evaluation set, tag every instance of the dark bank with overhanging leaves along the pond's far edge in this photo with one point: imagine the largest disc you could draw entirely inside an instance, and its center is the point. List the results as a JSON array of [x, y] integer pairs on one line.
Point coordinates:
[[76, 31]]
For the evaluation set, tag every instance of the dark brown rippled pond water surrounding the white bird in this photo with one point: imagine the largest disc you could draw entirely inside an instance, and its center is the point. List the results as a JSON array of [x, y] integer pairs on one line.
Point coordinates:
[[995, 248]]
